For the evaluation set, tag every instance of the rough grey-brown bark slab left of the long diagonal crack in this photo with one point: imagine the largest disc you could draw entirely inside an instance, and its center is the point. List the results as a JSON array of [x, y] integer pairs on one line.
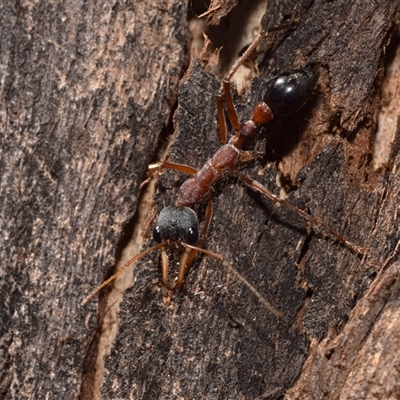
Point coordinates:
[[86, 90]]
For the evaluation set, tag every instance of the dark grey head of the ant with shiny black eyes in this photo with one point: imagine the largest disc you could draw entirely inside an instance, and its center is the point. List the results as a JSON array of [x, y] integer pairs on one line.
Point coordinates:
[[177, 224]]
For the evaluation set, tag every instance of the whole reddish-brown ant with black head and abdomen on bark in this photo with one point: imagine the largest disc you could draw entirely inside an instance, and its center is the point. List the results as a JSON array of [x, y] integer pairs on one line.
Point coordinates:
[[177, 227]]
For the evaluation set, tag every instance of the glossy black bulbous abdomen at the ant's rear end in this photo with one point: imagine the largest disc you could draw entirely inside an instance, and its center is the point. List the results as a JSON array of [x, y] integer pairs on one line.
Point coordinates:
[[288, 92]]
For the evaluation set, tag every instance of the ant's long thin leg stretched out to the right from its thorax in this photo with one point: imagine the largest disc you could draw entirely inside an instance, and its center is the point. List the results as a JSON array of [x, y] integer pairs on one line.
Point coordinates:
[[315, 221]]
